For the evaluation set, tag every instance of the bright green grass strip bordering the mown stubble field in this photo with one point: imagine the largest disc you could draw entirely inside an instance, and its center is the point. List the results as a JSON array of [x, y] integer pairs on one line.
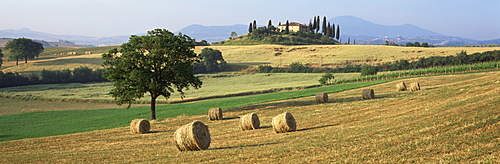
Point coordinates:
[[73, 121]]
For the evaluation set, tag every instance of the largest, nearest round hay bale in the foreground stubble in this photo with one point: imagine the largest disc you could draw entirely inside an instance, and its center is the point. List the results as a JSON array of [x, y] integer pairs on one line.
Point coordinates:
[[192, 136]]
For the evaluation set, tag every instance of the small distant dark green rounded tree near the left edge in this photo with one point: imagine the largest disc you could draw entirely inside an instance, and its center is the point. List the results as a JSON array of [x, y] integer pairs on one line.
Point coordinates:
[[23, 48]]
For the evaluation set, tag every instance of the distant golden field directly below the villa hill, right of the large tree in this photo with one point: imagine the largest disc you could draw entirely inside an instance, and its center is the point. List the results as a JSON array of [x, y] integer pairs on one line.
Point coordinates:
[[332, 55]]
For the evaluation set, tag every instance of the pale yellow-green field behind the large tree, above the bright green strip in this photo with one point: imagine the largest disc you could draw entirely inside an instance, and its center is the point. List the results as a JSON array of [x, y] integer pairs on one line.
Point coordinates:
[[232, 84]]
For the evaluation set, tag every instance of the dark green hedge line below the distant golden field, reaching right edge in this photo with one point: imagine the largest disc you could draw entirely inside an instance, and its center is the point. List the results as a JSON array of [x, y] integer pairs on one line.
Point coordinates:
[[460, 59]]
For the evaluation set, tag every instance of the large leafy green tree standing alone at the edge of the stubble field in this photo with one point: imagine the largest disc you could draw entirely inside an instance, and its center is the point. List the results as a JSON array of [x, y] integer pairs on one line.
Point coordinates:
[[158, 63]]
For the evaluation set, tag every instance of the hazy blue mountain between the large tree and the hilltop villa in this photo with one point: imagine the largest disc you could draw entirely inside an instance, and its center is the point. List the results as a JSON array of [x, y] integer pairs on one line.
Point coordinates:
[[213, 33]]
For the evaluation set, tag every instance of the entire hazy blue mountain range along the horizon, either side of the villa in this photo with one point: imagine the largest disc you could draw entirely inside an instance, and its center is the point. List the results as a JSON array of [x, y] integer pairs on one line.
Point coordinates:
[[364, 32]]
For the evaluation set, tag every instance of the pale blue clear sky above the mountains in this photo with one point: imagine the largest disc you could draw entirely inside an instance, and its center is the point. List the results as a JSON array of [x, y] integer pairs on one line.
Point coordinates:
[[473, 19]]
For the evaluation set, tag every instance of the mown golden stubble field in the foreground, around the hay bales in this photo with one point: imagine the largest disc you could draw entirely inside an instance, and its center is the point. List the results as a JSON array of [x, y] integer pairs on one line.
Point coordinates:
[[452, 119]]
